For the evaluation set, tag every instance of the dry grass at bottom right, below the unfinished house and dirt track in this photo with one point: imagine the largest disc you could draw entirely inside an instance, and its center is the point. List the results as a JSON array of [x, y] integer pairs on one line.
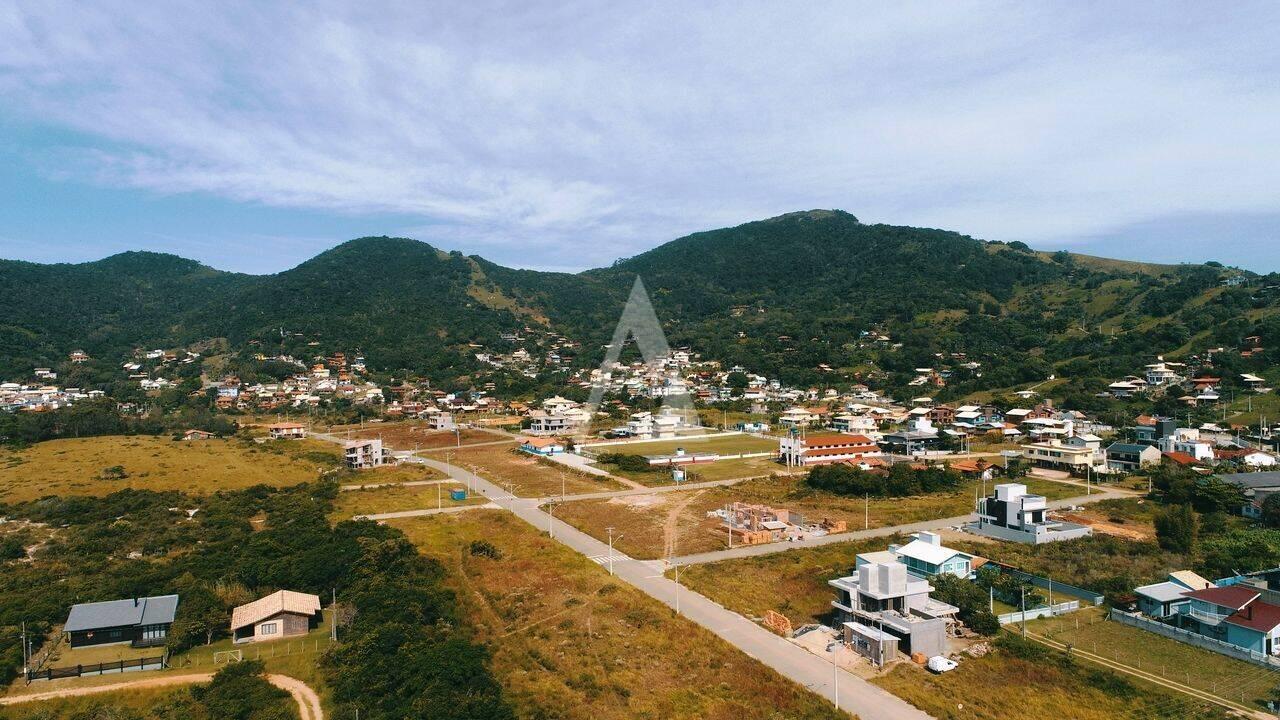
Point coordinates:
[[1035, 685]]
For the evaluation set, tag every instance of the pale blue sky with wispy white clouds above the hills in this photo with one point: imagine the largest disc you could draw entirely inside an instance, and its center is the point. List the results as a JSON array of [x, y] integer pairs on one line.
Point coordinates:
[[564, 136]]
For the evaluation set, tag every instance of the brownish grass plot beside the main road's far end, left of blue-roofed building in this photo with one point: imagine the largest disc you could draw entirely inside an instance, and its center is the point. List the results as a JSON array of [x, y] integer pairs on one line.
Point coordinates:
[[532, 477]]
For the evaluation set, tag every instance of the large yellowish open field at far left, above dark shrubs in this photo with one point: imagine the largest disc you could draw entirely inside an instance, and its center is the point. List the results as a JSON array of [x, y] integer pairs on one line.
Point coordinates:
[[85, 466]]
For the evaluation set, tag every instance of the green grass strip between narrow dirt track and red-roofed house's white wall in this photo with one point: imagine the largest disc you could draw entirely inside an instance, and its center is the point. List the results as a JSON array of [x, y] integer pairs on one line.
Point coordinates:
[[1182, 663]]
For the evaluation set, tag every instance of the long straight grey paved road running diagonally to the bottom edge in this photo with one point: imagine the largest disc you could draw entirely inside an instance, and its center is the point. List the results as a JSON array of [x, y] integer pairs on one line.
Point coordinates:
[[856, 695]]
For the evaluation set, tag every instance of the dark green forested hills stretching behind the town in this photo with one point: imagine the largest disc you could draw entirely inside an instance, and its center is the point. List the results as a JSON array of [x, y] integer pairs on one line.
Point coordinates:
[[784, 297]]
